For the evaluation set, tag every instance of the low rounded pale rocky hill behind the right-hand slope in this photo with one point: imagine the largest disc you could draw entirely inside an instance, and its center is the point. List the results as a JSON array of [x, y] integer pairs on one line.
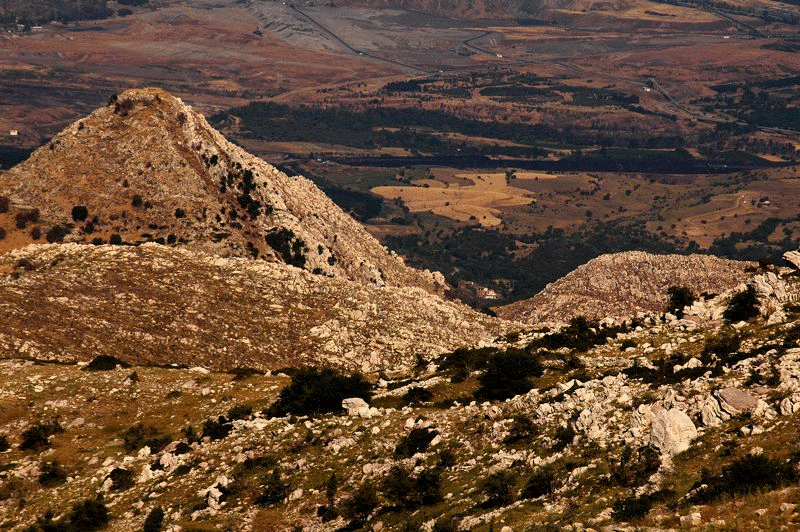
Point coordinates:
[[622, 284]]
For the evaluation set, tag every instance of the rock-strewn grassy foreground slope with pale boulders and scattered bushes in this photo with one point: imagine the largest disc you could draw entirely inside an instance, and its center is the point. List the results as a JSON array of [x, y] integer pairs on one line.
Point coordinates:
[[651, 422]]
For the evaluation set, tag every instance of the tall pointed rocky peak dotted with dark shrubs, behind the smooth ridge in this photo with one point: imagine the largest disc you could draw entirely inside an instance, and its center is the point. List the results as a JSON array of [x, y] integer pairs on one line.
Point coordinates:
[[146, 167]]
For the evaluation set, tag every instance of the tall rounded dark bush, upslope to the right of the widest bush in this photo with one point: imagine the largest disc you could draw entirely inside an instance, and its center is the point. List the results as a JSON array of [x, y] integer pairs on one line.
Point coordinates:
[[508, 374]]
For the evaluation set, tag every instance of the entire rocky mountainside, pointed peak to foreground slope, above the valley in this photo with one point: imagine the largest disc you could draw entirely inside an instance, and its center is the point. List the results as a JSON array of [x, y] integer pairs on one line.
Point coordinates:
[[204, 343]]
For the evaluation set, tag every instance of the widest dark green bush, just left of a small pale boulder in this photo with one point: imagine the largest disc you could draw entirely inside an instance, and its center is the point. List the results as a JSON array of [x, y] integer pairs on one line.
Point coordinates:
[[314, 392]]
